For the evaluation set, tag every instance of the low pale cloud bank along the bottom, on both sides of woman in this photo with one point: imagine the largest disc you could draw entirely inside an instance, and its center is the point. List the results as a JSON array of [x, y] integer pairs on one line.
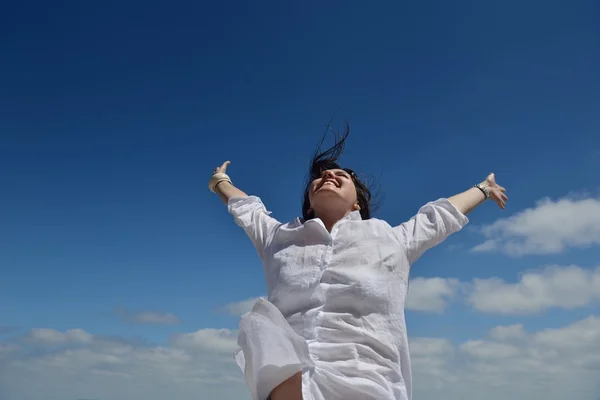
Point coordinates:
[[552, 364]]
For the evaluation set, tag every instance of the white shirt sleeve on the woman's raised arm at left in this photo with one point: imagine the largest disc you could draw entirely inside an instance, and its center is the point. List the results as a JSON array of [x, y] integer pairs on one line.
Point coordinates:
[[250, 213]]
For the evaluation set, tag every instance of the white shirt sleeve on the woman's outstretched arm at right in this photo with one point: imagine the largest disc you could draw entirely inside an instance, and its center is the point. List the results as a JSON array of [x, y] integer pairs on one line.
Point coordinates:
[[434, 222]]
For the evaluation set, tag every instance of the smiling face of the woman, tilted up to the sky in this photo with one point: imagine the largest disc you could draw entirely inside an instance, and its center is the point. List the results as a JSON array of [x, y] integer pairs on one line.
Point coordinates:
[[334, 187]]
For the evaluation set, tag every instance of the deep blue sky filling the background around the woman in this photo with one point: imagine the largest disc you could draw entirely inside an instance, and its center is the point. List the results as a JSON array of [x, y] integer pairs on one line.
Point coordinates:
[[113, 116]]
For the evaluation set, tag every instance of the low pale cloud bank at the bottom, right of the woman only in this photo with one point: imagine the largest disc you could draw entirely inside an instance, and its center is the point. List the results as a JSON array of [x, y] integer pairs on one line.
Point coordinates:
[[552, 364]]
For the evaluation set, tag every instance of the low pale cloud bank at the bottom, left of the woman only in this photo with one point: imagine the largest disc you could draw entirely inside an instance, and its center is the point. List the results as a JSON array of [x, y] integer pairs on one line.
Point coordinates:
[[118, 369]]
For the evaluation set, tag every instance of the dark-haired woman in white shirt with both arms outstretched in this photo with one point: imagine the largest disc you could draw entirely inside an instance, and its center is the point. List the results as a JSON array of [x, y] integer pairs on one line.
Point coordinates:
[[333, 326]]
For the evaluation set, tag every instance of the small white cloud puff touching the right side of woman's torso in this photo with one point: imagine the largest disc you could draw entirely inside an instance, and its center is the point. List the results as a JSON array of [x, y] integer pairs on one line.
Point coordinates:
[[430, 294]]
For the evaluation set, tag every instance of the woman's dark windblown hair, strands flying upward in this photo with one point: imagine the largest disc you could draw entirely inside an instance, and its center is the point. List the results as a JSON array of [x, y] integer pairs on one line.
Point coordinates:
[[328, 159]]
